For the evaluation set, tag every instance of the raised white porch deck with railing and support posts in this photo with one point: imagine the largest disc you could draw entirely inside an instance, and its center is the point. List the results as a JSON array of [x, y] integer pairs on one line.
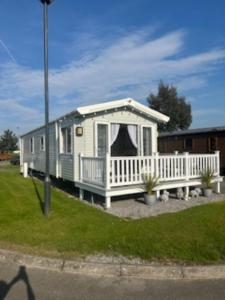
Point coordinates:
[[112, 176]]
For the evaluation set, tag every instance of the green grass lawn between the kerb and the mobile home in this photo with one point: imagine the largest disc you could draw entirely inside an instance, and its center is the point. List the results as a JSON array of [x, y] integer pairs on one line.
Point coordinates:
[[74, 229]]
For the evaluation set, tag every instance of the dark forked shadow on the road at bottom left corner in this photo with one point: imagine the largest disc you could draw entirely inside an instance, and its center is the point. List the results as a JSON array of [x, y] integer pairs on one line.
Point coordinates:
[[21, 276]]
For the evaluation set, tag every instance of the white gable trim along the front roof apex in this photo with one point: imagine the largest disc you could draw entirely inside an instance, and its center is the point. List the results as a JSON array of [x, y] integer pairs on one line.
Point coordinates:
[[84, 110]]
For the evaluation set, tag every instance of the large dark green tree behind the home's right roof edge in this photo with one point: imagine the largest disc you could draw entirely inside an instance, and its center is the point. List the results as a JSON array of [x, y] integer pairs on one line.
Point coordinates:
[[169, 103]]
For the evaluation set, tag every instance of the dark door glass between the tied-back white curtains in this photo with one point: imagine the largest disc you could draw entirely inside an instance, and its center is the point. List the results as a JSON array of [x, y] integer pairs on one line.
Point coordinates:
[[123, 145]]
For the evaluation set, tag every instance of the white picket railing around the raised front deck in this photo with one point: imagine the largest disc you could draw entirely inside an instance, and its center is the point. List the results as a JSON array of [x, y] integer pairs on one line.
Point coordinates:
[[120, 171]]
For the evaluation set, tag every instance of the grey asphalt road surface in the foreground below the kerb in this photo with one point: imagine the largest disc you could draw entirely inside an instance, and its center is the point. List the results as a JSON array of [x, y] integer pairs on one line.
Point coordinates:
[[18, 282]]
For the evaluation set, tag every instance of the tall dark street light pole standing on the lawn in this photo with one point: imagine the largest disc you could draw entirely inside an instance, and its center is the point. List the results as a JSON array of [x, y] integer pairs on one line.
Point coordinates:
[[47, 183]]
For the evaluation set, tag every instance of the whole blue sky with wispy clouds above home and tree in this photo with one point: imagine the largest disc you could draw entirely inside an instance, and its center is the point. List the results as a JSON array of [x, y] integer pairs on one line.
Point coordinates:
[[106, 50]]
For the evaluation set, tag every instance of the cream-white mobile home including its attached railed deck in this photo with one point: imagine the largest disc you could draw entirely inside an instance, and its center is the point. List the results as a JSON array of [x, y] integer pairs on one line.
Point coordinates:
[[106, 149]]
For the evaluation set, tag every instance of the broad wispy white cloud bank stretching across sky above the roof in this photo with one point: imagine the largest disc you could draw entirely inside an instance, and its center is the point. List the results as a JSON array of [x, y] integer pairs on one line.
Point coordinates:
[[131, 66]]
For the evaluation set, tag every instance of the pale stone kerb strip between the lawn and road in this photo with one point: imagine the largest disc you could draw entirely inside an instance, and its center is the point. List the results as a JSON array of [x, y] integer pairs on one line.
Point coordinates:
[[142, 271]]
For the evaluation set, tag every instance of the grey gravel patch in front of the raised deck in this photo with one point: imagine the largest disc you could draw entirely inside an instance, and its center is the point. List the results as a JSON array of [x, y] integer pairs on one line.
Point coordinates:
[[136, 208]]
